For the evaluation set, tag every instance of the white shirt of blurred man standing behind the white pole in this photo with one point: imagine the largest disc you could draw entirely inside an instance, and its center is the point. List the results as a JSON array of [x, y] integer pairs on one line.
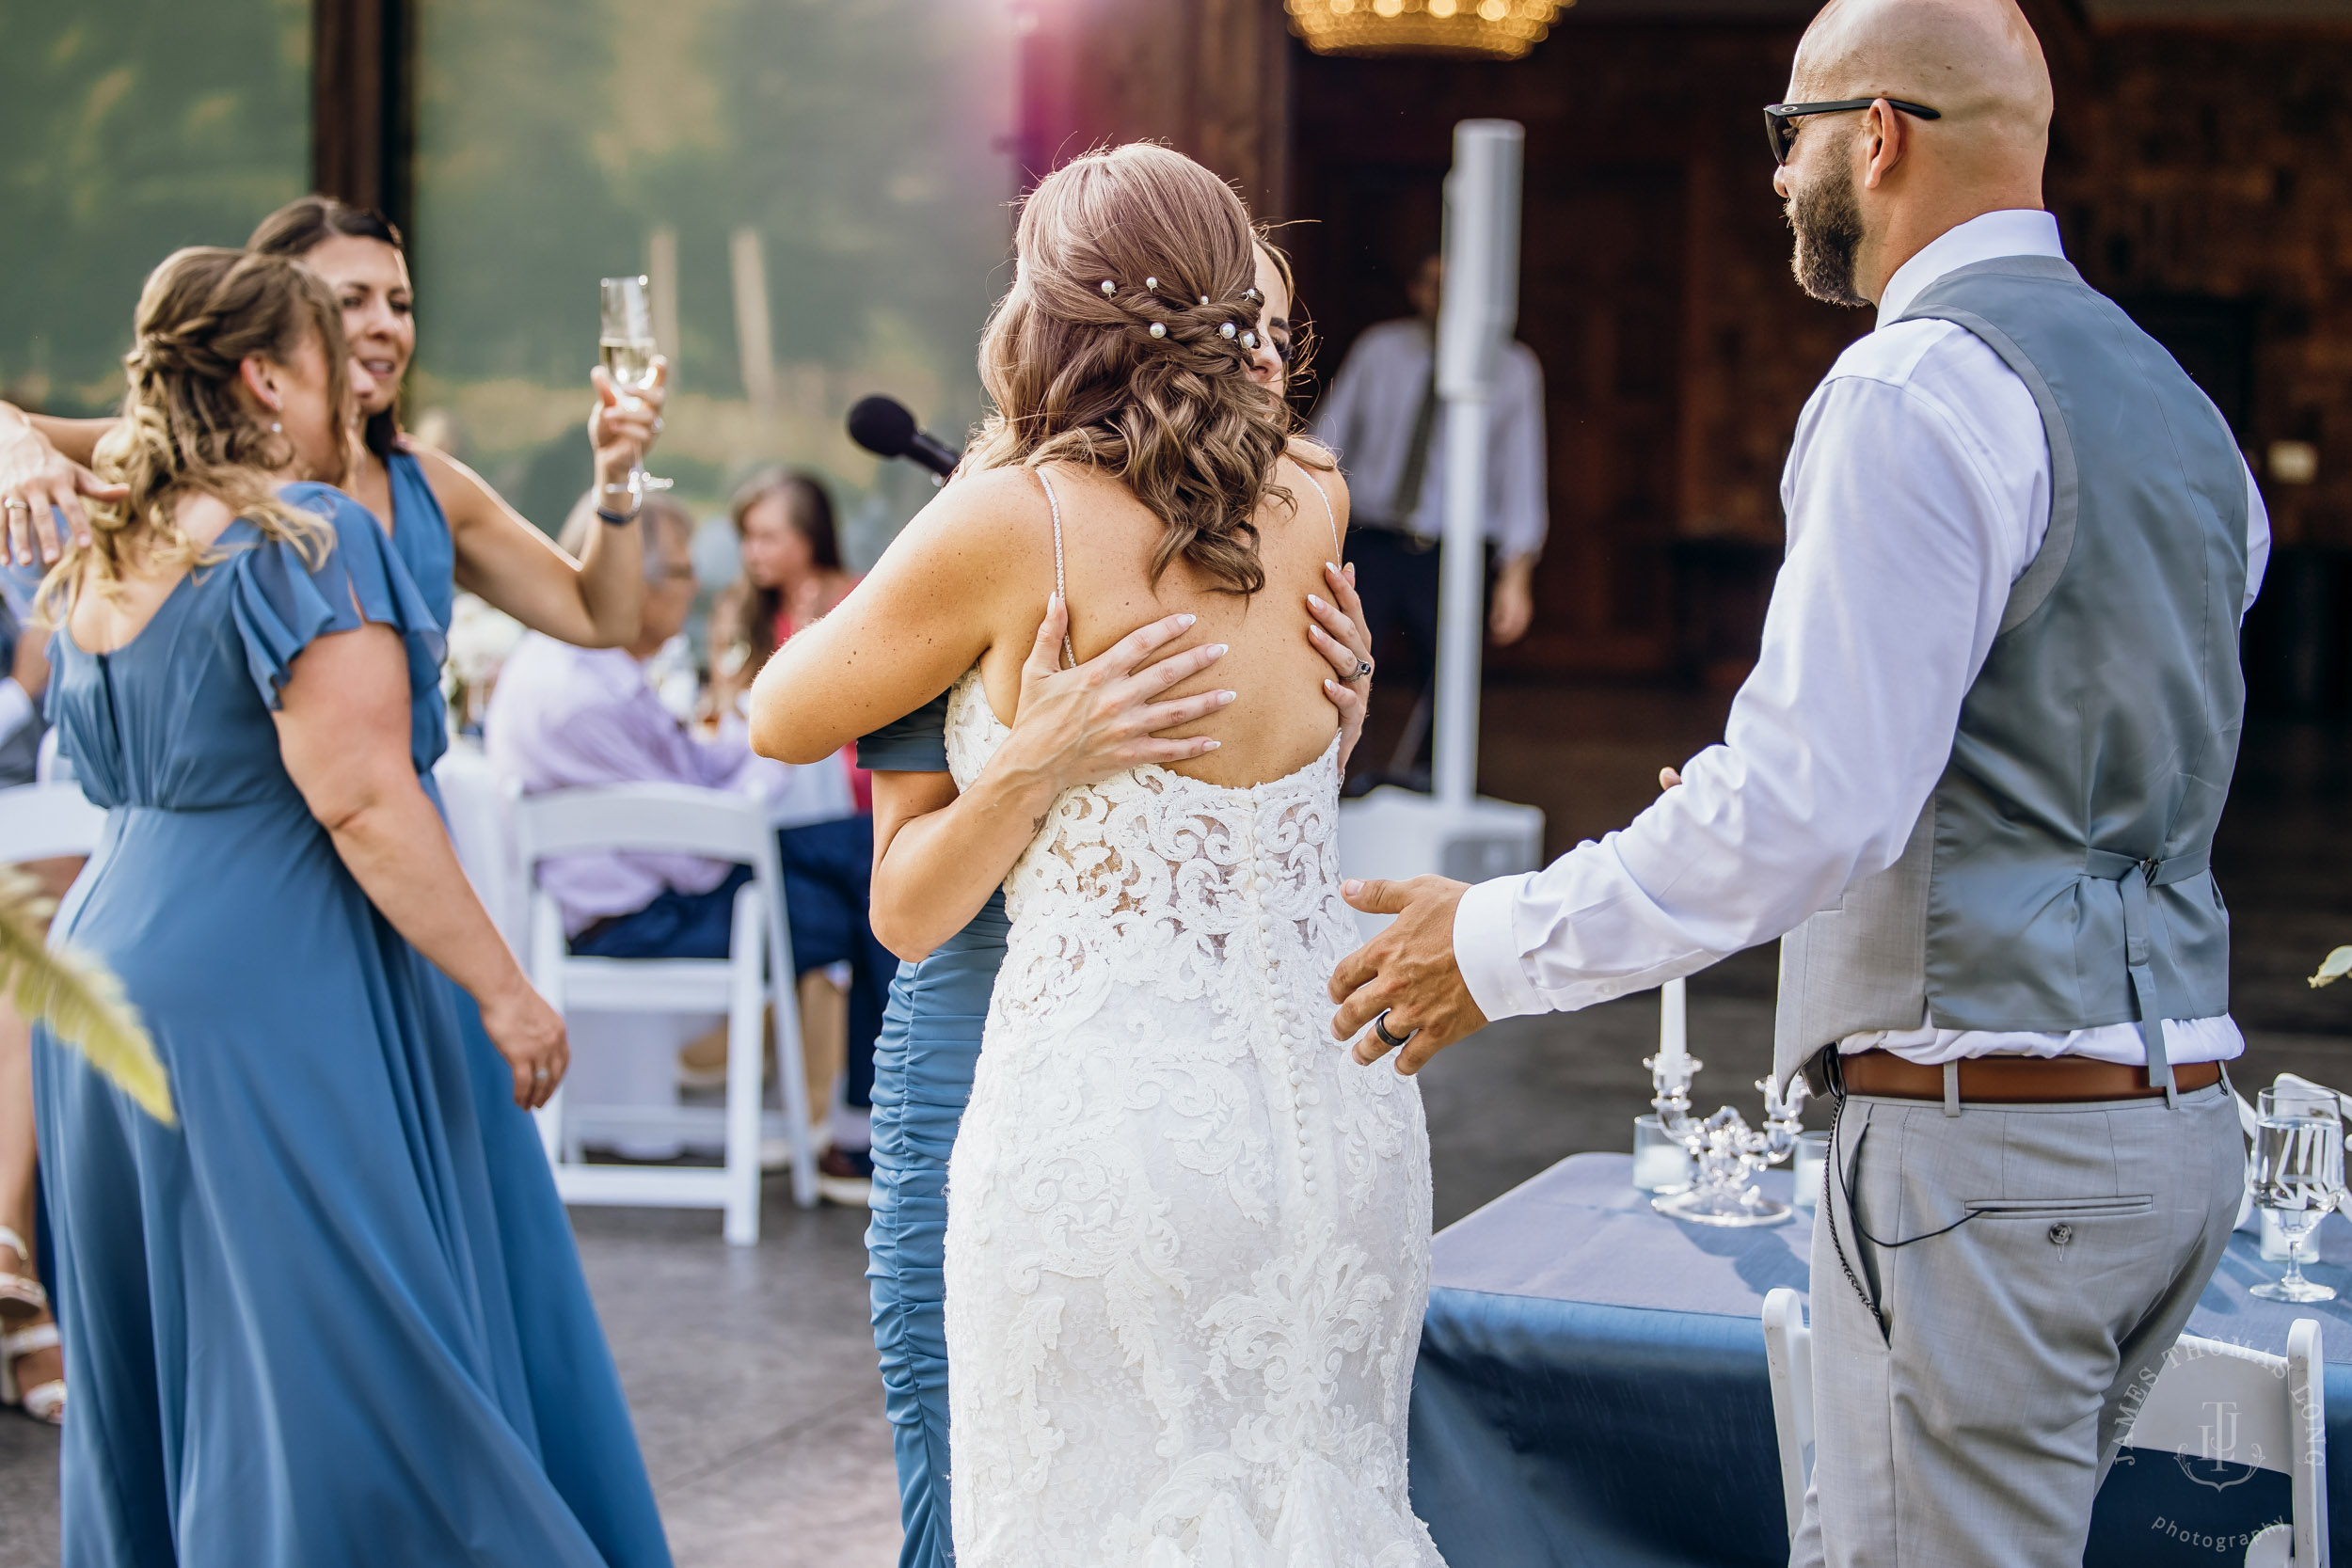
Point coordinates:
[[1370, 413]]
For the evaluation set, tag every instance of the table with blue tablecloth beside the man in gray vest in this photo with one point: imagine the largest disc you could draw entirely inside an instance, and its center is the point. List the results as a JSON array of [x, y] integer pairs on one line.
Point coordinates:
[[1593, 1393]]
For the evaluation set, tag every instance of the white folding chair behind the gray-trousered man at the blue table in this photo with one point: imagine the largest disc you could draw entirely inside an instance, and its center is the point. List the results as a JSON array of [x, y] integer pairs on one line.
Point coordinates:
[[2212, 1402]]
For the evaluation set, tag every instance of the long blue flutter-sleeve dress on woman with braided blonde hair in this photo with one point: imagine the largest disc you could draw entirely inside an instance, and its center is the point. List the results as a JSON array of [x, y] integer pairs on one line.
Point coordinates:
[[302, 1327]]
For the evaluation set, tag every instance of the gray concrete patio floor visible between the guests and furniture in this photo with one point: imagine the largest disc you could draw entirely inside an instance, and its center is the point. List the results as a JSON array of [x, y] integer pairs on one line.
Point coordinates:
[[751, 1372]]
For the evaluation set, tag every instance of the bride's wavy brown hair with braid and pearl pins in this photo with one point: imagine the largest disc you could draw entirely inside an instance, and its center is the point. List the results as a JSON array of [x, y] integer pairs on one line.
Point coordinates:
[[1125, 347]]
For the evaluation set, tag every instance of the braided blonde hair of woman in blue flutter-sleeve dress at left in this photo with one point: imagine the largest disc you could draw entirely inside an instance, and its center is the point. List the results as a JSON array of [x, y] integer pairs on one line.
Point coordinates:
[[185, 429]]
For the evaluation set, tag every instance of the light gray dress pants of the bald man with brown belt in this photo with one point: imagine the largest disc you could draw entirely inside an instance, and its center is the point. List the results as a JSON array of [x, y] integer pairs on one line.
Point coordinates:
[[1972, 1419]]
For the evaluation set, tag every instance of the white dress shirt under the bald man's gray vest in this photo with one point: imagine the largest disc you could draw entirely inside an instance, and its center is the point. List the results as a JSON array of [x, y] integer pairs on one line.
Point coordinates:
[[1916, 492]]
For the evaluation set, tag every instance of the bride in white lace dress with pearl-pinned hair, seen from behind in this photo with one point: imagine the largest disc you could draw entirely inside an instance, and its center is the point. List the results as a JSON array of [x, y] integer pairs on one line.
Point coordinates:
[[1187, 1235]]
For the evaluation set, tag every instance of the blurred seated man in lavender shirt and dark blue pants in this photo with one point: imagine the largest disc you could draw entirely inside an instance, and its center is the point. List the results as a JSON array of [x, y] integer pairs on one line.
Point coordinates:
[[566, 718]]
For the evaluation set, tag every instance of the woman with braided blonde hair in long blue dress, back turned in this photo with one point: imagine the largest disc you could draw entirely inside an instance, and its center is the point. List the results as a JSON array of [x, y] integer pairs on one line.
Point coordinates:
[[286, 1320]]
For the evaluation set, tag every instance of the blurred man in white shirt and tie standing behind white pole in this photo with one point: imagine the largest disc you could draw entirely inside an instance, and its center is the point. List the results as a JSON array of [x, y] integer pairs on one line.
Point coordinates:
[[1387, 424]]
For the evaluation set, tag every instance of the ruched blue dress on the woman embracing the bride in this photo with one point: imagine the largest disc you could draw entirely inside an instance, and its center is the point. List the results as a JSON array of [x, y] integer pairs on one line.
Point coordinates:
[[923, 1080]]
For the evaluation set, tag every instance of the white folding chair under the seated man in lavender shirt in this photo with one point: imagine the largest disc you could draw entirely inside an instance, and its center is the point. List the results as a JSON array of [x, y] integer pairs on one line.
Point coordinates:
[[759, 972]]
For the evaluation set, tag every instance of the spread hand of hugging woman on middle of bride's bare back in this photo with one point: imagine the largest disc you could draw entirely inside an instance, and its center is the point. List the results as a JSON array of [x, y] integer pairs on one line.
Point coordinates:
[[1107, 716]]
